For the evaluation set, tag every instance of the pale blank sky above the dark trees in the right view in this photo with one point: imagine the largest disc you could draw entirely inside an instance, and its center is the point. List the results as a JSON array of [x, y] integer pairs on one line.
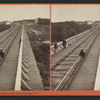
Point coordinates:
[[62, 13]]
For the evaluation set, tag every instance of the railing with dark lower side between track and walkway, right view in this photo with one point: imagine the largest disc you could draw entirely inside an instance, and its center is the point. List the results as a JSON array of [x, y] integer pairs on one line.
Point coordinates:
[[75, 67]]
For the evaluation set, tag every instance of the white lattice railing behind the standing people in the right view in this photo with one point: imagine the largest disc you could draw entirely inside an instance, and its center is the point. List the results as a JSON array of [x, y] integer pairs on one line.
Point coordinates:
[[69, 41]]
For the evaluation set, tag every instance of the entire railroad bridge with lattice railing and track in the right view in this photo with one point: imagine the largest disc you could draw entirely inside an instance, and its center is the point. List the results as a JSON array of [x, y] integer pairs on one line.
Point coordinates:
[[69, 71]]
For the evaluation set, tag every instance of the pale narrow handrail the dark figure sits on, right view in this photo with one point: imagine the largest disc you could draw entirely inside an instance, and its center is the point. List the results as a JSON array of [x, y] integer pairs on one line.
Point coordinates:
[[78, 61]]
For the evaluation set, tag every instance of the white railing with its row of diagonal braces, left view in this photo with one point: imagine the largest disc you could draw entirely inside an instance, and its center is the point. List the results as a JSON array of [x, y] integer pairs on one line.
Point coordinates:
[[22, 69]]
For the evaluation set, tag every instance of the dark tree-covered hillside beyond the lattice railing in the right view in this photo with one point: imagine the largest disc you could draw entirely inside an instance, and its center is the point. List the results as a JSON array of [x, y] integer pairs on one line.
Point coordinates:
[[64, 30]]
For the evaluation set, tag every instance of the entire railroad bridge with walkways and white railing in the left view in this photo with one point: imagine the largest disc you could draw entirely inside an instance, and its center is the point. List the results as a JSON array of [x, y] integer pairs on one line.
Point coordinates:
[[18, 68]]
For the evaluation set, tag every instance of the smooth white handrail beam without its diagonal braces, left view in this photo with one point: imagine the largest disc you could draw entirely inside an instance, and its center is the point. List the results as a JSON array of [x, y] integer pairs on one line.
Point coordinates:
[[19, 68]]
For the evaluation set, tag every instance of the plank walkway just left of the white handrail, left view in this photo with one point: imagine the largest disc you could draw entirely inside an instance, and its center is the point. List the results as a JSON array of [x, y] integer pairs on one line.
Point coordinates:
[[9, 67]]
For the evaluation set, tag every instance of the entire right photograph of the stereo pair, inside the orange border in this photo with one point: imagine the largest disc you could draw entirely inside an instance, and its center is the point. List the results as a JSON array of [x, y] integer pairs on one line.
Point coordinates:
[[75, 47]]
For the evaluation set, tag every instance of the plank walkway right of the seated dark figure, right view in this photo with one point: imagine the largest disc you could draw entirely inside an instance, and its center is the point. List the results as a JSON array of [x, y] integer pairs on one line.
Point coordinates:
[[85, 77]]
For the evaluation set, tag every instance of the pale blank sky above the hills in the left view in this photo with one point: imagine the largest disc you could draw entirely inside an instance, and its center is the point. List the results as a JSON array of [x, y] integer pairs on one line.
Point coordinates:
[[19, 12]]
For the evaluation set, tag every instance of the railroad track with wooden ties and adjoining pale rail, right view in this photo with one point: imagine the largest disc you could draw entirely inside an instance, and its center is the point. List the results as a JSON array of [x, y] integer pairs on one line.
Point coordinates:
[[63, 69]]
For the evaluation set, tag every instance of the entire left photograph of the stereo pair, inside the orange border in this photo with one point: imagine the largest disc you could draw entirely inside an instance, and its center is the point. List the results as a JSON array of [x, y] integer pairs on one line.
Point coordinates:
[[24, 47]]
